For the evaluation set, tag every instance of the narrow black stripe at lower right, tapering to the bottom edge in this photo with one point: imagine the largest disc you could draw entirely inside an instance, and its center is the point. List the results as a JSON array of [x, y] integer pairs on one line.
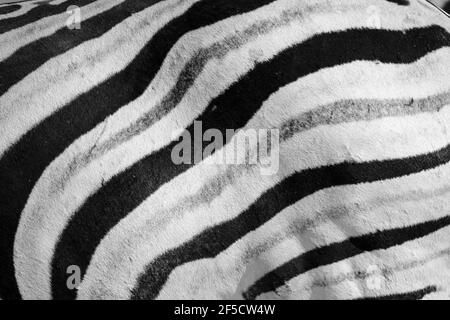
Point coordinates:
[[340, 251]]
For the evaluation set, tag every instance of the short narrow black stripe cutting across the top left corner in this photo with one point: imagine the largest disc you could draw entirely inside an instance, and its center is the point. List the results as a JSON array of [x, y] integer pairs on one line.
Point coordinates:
[[41, 11]]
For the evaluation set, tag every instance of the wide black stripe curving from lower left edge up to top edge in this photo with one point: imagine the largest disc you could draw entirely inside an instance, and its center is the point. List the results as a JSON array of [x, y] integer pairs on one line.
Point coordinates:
[[23, 164]]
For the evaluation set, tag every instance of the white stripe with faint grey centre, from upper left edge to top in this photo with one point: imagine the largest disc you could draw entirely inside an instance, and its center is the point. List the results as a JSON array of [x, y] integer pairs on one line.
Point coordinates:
[[63, 78]]
